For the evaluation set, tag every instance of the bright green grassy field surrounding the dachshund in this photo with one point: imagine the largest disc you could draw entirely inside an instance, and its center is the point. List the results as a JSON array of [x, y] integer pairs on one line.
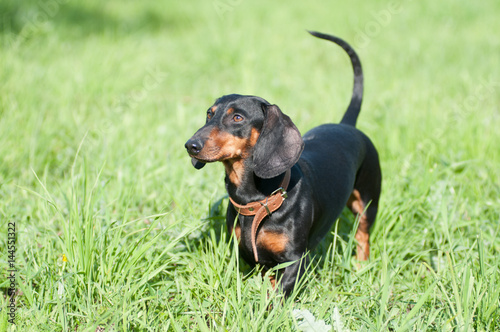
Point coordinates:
[[116, 231]]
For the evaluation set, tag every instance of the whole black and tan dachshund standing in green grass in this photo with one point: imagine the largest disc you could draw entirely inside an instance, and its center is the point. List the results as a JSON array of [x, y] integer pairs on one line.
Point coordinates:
[[285, 190]]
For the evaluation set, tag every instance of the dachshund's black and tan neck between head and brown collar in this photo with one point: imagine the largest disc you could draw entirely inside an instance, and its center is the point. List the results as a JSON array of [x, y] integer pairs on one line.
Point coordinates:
[[243, 186]]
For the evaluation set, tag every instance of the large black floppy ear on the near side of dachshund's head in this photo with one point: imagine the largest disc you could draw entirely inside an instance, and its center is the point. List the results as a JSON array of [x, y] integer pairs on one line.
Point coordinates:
[[279, 145]]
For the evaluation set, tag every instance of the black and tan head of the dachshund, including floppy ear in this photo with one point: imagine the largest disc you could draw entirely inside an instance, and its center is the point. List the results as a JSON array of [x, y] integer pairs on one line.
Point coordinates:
[[240, 127]]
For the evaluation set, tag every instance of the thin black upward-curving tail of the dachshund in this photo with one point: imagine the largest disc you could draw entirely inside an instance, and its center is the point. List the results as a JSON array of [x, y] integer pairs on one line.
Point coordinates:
[[351, 115]]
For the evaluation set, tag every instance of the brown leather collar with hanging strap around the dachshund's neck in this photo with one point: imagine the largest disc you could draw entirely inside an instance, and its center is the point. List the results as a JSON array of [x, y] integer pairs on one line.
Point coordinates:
[[260, 209]]
